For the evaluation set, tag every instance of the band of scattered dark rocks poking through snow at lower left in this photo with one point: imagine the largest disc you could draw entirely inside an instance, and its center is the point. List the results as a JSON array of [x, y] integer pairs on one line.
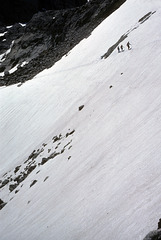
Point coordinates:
[[12, 181]]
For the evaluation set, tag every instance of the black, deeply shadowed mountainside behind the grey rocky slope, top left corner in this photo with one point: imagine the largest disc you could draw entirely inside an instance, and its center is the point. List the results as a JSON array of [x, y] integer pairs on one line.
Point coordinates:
[[22, 10]]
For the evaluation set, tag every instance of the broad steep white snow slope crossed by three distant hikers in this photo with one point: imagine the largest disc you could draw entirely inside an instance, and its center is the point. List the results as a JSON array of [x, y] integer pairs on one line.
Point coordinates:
[[80, 142]]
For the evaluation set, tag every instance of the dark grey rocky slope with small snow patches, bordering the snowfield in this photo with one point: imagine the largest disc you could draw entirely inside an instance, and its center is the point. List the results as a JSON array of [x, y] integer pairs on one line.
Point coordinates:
[[47, 37]]
